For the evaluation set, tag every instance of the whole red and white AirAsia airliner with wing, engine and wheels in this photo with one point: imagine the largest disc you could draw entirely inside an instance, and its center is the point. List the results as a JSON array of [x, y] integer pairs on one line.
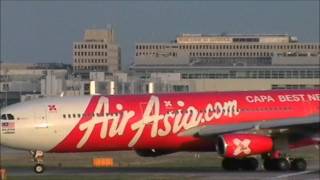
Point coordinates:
[[237, 125]]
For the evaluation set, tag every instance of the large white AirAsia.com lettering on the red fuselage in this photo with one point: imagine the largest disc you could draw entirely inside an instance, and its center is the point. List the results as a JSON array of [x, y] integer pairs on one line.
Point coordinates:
[[184, 118]]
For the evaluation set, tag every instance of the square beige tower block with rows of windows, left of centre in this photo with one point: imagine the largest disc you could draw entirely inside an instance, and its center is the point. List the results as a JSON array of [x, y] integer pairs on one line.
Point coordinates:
[[98, 51]]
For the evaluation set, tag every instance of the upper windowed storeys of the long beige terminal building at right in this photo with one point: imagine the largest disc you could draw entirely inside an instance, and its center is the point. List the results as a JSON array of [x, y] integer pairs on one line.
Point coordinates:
[[228, 46]]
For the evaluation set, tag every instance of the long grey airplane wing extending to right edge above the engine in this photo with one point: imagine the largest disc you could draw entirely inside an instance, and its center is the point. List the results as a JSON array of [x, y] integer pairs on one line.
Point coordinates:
[[214, 130]]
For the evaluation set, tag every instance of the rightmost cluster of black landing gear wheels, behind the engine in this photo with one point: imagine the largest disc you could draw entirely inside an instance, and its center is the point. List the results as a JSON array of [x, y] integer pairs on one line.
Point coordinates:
[[280, 162]]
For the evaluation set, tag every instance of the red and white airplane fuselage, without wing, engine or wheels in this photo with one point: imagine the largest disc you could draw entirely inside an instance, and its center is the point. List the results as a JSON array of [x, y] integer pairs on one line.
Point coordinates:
[[152, 121]]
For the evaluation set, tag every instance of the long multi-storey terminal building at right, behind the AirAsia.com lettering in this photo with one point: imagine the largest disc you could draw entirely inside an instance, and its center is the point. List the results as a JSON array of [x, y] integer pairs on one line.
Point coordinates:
[[232, 62]]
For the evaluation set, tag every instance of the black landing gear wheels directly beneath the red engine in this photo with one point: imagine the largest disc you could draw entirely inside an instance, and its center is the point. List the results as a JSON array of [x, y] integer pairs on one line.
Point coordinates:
[[233, 164]]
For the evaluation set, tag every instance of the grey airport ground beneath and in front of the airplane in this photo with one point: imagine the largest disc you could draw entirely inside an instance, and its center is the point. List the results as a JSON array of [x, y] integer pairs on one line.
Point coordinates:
[[195, 170]]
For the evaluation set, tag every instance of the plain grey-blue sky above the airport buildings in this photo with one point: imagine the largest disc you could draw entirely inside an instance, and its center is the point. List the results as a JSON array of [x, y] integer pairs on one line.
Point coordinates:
[[44, 31]]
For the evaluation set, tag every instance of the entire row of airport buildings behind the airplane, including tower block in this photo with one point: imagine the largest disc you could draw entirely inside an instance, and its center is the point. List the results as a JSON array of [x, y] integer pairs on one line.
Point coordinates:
[[191, 63]]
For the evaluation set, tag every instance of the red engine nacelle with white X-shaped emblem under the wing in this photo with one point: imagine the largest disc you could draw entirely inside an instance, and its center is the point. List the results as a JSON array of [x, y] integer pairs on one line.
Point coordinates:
[[242, 145]]
